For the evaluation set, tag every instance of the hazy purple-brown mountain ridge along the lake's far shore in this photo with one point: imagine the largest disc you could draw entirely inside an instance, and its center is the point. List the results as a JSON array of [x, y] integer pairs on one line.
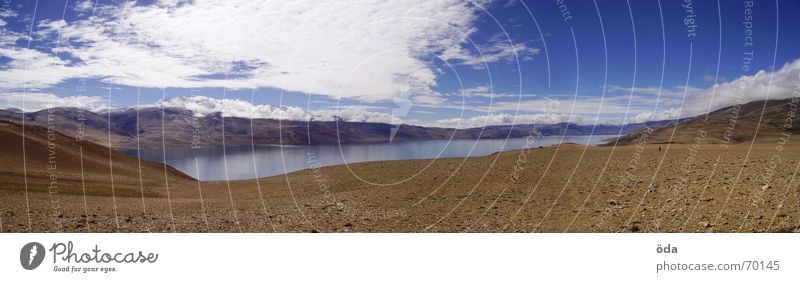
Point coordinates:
[[173, 127]]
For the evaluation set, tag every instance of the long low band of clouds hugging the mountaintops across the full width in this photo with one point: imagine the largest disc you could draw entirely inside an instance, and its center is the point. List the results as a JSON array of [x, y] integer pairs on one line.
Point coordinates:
[[785, 83]]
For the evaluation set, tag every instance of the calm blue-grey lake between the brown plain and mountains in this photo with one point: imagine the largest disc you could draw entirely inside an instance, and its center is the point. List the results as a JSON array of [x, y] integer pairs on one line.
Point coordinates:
[[210, 163]]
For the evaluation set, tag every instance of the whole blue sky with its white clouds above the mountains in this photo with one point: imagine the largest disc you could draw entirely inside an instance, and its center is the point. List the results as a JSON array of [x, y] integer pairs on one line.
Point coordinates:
[[448, 63]]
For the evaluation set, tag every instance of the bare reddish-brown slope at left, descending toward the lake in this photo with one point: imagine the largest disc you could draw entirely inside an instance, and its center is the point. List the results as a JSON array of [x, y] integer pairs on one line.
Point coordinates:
[[57, 162]]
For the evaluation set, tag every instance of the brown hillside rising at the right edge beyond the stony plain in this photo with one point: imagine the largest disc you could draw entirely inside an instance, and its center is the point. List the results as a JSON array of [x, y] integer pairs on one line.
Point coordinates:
[[773, 119]]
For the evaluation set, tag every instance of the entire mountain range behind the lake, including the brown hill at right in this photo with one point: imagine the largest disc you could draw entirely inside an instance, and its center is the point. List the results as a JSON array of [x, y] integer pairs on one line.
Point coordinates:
[[177, 127]]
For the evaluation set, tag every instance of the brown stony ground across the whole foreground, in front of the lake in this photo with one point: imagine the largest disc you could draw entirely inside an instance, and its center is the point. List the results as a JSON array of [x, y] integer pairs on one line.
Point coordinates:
[[571, 188]]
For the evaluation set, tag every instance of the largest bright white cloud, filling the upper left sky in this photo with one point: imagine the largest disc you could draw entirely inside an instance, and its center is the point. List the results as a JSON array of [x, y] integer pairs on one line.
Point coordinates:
[[369, 50]]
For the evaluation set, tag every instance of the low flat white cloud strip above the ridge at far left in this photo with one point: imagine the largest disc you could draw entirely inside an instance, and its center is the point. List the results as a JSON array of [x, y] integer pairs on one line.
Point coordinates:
[[31, 102]]
